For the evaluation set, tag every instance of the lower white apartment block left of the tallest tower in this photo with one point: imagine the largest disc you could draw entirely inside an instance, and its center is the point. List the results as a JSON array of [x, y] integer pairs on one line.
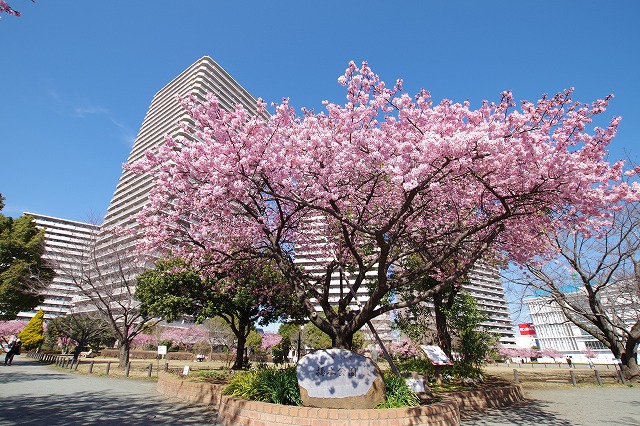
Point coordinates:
[[65, 243]]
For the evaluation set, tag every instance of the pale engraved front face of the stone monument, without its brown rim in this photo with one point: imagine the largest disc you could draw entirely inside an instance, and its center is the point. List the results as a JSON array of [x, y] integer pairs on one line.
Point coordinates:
[[336, 373]]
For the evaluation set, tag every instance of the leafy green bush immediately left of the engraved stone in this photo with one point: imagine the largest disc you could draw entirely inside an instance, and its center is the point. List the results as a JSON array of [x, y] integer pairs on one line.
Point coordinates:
[[278, 386]]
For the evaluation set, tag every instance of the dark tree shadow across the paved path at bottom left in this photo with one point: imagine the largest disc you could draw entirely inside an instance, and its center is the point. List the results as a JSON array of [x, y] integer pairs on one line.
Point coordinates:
[[95, 408]]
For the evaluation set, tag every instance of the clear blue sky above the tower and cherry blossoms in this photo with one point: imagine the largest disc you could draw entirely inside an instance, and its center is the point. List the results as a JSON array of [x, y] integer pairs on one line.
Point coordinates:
[[78, 76]]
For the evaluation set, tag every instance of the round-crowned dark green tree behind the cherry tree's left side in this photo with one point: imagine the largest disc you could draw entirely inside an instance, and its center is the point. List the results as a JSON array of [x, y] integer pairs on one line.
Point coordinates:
[[241, 297]]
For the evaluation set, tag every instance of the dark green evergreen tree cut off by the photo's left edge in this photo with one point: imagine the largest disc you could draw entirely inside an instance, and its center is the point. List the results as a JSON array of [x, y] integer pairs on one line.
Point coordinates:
[[23, 272]]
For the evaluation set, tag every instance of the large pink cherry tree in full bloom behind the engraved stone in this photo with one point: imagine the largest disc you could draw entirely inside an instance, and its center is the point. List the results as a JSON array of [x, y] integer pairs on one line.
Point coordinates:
[[362, 187]]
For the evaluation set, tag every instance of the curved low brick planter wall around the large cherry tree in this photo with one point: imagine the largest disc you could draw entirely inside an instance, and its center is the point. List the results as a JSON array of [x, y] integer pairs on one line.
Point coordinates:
[[235, 411]]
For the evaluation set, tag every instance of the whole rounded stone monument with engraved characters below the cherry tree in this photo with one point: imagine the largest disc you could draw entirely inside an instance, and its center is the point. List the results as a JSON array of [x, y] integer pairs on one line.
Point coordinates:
[[338, 378]]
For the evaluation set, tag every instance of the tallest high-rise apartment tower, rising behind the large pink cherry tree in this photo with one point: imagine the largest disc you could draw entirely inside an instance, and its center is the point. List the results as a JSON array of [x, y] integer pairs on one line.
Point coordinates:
[[117, 261]]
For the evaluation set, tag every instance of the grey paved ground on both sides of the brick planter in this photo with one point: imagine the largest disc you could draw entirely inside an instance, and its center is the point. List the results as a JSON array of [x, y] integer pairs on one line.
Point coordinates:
[[36, 394]]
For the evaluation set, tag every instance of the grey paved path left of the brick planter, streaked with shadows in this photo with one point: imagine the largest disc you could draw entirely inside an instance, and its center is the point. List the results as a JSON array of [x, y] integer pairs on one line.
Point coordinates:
[[35, 394]]
